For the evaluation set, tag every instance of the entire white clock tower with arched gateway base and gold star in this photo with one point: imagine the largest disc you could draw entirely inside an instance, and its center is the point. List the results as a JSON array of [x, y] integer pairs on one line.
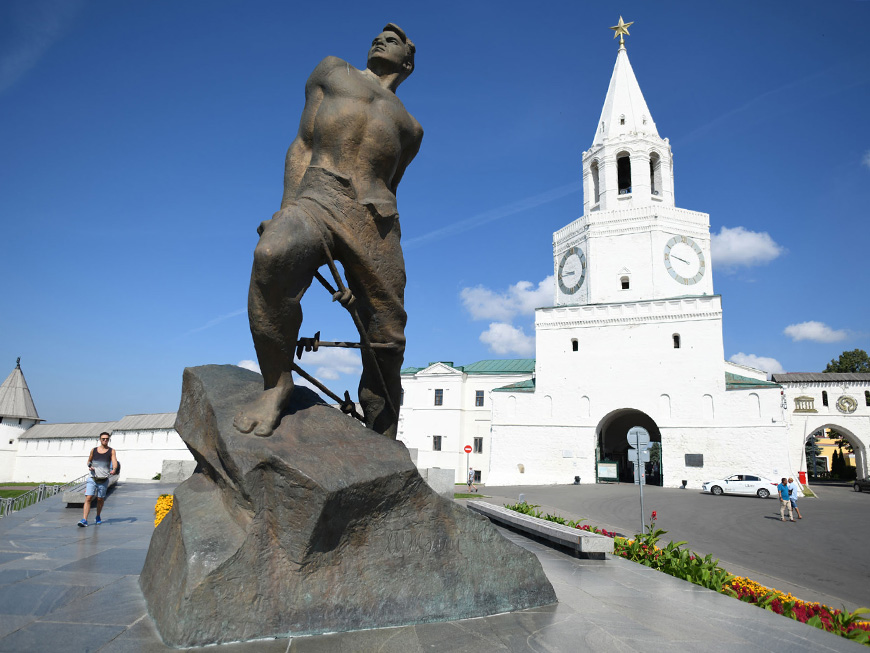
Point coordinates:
[[634, 336]]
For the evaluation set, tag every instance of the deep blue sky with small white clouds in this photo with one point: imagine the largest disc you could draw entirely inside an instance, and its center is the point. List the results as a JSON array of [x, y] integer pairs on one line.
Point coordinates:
[[141, 143]]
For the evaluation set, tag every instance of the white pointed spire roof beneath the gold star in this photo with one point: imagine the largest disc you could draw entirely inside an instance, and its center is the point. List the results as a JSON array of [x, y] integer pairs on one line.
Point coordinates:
[[625, 110]]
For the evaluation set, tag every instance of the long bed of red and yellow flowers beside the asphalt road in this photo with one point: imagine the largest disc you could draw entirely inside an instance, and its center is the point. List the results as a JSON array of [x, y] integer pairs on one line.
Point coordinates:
[[705, 571]]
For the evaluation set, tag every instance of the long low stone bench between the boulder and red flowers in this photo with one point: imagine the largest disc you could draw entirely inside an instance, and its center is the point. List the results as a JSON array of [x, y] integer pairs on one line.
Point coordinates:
[[584, 544]]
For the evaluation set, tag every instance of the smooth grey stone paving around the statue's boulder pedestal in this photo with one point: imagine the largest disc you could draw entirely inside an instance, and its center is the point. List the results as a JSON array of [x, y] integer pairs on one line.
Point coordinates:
[[76, 589]]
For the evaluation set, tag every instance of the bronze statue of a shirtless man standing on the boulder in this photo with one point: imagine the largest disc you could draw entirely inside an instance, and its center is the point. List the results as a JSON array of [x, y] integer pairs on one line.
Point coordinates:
[[354, 142]]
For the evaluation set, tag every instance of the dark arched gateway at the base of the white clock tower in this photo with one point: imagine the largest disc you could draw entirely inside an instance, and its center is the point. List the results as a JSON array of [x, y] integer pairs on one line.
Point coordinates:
[[613, 443]]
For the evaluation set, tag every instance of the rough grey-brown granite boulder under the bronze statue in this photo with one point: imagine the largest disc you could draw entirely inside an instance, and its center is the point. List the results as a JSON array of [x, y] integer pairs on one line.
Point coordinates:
[[324, 526]]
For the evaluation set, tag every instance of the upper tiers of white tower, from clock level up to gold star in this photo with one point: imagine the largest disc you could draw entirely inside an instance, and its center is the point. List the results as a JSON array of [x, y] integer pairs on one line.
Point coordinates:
[[631, 243]]
